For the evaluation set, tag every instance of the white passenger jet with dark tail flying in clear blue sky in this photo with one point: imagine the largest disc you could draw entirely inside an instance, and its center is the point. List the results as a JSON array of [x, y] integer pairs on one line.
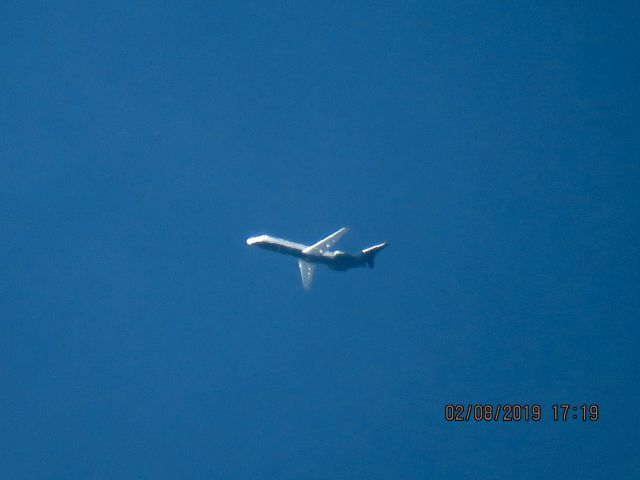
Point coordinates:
[[318, 253]]
